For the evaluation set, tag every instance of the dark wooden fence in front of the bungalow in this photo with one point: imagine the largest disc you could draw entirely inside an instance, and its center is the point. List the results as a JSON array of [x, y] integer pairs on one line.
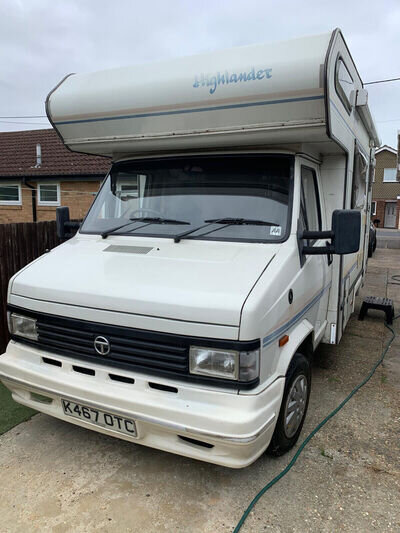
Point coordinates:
[[19, 245]]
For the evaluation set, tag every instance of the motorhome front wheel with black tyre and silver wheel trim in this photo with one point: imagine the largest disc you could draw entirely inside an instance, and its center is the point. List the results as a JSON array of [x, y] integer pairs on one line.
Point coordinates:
[[294, 406]]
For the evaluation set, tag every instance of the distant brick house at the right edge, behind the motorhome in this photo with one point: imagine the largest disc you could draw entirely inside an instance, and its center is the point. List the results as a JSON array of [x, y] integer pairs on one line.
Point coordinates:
[[386, 188]]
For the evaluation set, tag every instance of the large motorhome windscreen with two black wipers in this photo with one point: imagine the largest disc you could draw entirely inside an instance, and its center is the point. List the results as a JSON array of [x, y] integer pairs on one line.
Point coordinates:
[[243, 198]]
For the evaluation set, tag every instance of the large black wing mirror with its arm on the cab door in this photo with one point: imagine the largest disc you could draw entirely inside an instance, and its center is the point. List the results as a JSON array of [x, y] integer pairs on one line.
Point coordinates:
[[344, 236]]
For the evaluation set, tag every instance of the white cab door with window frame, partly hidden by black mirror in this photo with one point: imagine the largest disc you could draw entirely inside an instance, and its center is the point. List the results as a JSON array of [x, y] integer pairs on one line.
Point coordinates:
[[318, 268]]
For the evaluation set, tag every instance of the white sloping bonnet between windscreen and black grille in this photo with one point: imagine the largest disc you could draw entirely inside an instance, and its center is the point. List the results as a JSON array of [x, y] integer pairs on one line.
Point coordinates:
[[197, 281]]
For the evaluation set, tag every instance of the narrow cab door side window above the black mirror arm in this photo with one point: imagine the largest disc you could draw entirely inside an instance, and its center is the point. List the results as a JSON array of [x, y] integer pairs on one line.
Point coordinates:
[[310, 210]]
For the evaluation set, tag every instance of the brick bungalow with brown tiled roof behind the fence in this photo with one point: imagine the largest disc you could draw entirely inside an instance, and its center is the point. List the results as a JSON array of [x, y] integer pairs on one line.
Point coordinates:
[[37, 174]]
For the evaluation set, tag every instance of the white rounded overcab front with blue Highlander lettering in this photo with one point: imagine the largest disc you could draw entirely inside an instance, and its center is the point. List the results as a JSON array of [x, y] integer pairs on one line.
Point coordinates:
[[106, 111]]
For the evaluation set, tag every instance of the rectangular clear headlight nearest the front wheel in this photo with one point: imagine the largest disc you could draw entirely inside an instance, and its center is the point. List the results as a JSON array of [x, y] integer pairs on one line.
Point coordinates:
[[228, 364]]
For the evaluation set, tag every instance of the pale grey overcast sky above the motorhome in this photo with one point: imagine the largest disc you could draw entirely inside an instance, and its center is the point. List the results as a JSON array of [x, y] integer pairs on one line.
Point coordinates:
[[42, 40]]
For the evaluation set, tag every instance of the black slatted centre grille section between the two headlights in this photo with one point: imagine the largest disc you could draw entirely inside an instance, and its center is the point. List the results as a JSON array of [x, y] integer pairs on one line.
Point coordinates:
[[127, 346]]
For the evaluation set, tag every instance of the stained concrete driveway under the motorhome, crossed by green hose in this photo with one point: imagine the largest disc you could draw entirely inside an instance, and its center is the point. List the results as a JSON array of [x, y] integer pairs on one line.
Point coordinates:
[[62, 478]]
